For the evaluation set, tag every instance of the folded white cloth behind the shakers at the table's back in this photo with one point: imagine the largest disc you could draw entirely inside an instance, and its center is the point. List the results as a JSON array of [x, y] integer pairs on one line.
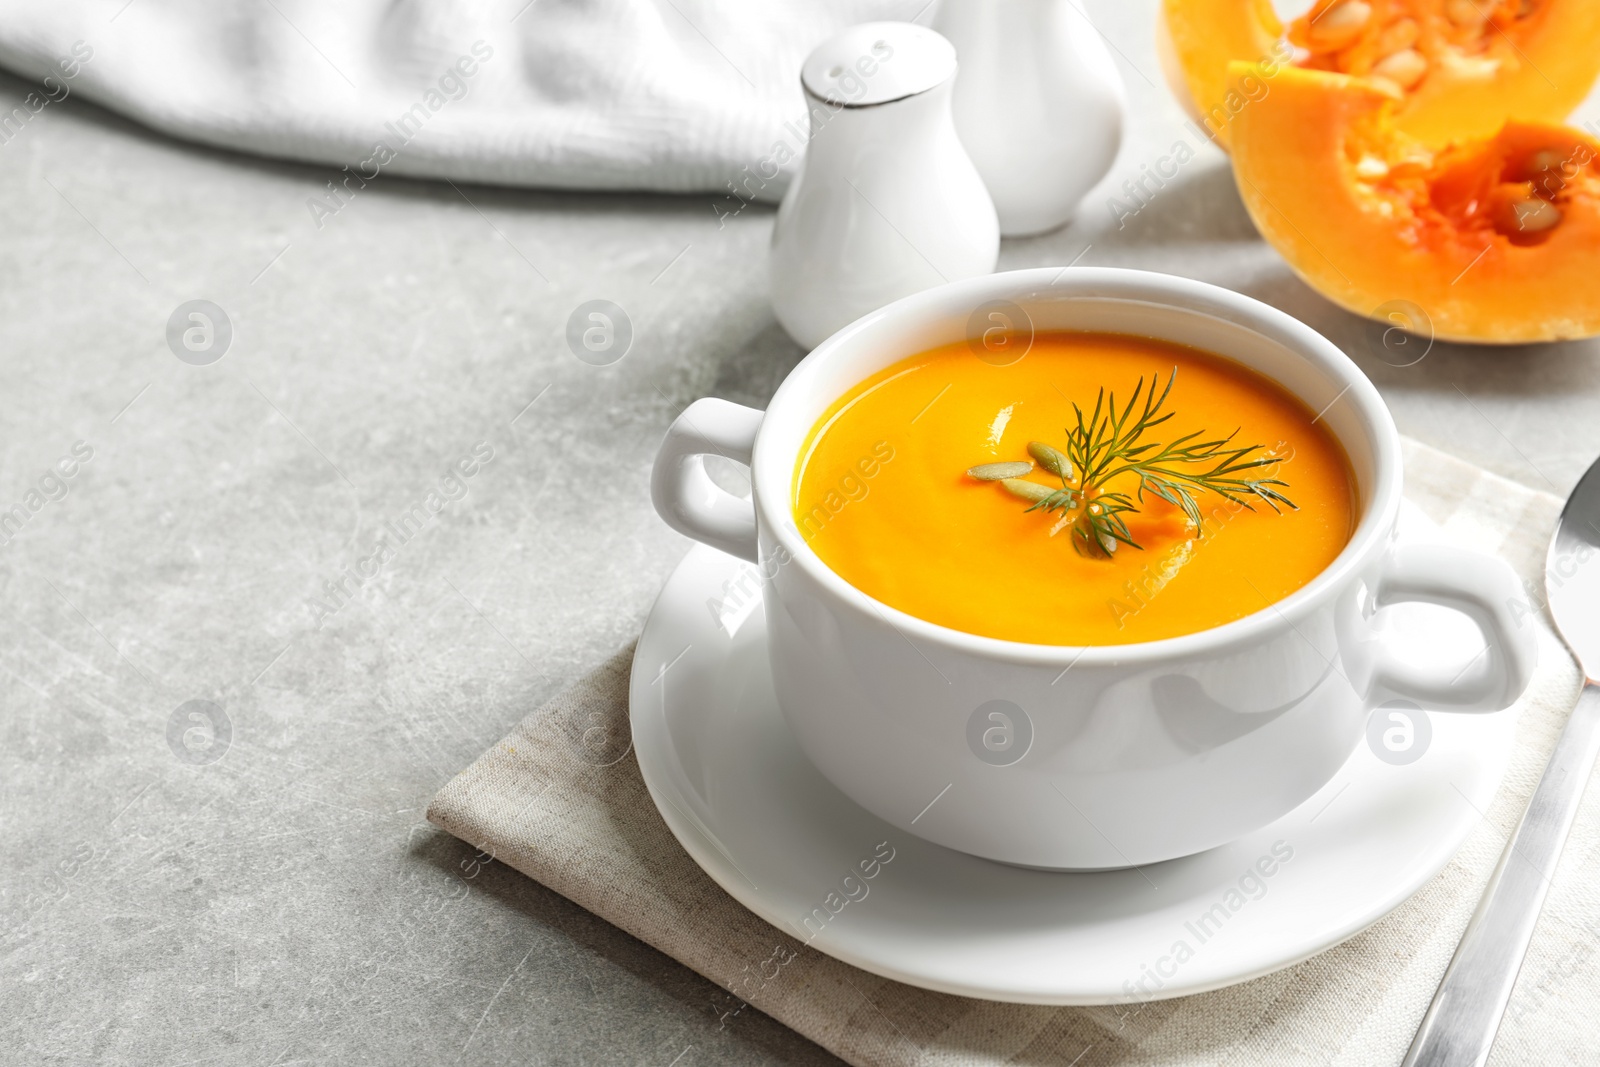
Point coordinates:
[[668, 95]]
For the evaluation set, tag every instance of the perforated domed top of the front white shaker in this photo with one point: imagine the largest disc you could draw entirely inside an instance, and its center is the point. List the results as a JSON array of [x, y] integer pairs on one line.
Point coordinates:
[[878, 63]]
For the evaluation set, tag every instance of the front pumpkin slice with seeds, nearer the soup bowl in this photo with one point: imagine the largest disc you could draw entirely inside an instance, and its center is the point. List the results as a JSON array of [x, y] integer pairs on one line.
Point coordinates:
[[1494, 239]]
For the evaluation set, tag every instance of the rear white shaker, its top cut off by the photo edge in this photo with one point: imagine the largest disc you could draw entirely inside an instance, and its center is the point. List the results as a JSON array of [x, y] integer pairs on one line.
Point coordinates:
[[1039, 105]]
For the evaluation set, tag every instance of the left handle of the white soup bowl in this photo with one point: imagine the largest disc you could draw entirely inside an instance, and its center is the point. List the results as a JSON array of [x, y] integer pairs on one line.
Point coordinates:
[[684, 494]]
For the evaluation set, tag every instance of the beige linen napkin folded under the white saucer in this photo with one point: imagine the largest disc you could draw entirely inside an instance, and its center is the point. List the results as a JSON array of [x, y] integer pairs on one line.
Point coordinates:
[[545, 804]]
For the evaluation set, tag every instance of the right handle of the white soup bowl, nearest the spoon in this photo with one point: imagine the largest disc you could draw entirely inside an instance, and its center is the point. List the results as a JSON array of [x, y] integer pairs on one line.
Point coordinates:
[[1479, 586]]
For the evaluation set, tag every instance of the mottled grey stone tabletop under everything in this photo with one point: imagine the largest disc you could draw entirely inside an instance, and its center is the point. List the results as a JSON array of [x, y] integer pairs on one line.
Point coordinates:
[[177, 597]]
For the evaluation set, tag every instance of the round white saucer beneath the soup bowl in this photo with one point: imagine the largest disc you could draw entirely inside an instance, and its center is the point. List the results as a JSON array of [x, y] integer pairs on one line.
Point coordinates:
[[746, 804]]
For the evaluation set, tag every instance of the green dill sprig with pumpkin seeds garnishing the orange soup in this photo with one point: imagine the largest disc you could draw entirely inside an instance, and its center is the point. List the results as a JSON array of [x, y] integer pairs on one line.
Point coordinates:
[[1110, 442]]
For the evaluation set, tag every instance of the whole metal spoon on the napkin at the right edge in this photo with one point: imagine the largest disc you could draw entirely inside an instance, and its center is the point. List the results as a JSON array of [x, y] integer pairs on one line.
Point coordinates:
[[1460, 1026]]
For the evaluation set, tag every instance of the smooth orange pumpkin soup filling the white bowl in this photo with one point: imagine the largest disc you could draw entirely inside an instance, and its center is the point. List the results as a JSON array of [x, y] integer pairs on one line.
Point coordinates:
[[898, 494]]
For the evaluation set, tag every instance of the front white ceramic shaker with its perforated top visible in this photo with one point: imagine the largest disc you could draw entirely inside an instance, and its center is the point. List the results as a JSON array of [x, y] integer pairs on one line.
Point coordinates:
[[887, 202]]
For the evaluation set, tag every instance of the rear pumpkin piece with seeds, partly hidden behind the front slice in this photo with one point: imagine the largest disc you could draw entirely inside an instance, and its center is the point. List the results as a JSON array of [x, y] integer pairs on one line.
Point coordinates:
[[1463, 68]]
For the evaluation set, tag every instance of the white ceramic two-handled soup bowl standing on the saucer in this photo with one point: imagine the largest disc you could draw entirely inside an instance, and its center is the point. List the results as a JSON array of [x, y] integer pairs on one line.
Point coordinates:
[[1103, 756]]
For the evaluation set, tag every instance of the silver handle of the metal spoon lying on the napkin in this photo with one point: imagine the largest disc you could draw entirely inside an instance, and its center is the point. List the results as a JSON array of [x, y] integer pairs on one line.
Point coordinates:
[[1460, 1026]]
